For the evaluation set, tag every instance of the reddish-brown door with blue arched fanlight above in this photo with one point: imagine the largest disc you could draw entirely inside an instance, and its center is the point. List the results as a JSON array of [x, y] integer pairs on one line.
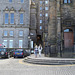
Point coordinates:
[[68, 38]]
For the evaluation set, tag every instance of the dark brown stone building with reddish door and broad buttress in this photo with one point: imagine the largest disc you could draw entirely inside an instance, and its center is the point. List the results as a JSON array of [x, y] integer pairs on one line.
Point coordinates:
[[61, 28]]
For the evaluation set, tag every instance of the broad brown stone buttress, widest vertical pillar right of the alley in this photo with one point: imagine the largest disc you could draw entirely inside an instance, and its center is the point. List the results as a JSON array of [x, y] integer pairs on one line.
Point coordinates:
[[52, 28]]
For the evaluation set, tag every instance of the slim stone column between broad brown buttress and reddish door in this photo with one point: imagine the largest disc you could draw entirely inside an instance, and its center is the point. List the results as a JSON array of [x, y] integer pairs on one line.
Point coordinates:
[[58, 29]]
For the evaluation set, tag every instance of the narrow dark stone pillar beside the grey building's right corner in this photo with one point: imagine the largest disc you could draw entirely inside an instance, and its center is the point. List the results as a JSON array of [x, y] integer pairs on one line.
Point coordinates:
[[33, 21]]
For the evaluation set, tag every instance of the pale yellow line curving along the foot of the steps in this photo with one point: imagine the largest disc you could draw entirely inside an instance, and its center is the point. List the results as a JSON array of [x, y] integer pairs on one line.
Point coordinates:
[[29, 64]]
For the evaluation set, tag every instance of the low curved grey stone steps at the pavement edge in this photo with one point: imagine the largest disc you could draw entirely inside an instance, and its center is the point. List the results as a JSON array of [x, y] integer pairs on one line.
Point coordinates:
[[49, 62]]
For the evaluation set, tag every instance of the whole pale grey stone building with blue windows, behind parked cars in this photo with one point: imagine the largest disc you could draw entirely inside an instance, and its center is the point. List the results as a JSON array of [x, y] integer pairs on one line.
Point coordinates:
[[14, 23]]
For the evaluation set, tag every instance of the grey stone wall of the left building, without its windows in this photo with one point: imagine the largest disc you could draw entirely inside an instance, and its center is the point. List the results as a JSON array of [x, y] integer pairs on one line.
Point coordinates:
[[15, 7]]
